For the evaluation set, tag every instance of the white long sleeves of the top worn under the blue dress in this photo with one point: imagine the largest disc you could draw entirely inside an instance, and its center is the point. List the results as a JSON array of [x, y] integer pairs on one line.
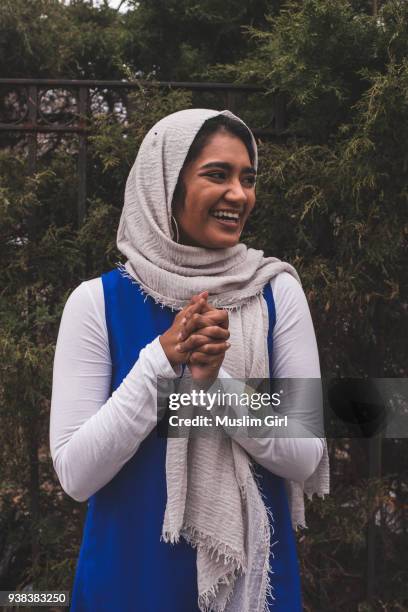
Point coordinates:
[[93, 434]]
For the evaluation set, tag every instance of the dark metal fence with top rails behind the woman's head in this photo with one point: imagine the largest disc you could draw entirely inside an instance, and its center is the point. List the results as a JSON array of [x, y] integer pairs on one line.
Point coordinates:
[[56, 106]]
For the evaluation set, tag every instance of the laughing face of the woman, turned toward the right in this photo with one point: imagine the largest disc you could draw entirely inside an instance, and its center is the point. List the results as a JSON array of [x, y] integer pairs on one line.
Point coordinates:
[[219, 194]]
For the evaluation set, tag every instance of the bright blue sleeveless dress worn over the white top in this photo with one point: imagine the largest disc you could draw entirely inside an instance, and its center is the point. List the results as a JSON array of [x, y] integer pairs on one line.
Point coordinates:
[[123, 566]]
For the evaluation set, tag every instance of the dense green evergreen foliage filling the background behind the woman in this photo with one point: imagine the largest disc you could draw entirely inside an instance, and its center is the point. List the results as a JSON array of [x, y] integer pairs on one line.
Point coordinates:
[[331, 199]]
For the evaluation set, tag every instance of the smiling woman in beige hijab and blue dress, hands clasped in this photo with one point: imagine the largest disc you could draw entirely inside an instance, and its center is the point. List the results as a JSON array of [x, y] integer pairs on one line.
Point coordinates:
[[182, 524]]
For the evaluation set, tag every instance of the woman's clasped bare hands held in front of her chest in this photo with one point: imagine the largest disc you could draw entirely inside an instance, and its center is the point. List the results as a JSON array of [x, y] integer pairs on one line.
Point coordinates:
[[198, 338]]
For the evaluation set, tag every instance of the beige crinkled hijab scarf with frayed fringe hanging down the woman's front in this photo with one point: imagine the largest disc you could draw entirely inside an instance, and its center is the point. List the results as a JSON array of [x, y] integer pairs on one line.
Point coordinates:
[[224, 518]]
